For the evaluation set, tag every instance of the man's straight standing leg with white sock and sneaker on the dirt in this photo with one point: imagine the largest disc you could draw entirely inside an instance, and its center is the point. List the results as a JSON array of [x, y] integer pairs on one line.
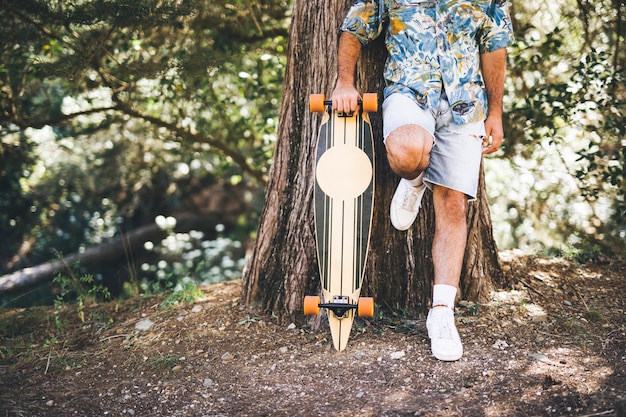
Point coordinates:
[[448, 252]]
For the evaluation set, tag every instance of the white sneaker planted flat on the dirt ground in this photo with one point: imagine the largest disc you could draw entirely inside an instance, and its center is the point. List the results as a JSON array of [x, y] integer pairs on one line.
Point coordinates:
[[445, 341]]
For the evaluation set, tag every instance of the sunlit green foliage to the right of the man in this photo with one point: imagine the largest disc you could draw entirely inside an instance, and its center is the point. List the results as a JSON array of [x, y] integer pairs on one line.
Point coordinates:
[[565, 132]]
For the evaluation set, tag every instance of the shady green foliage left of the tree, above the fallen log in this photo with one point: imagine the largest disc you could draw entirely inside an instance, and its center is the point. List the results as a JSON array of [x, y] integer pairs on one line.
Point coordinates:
[[114, 112]]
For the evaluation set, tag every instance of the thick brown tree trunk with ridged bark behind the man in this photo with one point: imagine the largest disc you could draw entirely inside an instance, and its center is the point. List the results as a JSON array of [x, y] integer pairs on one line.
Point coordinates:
[[283, 267]]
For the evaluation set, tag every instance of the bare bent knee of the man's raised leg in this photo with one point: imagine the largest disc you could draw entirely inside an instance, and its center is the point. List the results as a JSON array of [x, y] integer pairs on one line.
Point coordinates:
[[408, 150]]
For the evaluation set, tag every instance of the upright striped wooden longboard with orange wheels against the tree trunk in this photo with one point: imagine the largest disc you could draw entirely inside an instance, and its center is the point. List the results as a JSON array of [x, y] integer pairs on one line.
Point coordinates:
[[344, 201]]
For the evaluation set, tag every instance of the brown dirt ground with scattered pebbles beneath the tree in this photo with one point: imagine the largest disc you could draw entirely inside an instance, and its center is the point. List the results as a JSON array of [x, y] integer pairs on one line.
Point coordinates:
[[554, 344]]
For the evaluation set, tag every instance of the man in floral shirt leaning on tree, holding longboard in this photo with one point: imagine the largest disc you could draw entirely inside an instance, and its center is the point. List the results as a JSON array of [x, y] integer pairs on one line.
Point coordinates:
[[442, 111]]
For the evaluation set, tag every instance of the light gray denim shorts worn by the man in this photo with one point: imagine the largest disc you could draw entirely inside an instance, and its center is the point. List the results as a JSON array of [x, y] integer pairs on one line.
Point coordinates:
[[457, 153]]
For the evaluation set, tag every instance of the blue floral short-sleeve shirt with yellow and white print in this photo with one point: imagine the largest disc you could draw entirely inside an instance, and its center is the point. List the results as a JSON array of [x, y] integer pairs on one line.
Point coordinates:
[[434, 47]]
